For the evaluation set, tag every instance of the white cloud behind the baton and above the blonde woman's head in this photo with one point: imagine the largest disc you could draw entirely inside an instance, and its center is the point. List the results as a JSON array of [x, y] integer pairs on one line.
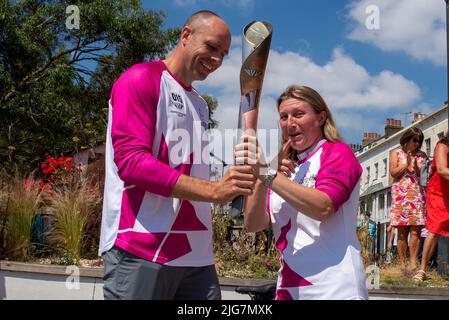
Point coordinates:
[[347, 87]]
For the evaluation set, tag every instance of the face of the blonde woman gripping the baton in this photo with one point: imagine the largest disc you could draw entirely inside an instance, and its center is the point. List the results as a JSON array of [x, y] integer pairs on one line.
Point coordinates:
[[300, 123]]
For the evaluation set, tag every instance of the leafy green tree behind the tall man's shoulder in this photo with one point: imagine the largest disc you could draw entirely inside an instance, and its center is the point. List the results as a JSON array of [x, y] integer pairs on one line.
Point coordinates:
[[55, 81]]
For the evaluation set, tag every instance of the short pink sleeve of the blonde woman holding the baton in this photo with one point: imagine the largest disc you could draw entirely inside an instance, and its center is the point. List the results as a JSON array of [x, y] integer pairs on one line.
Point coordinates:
[[339, 173]]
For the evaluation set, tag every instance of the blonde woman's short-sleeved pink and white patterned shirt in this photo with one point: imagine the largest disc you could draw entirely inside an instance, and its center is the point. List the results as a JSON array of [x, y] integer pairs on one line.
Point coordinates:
[[321, 260]]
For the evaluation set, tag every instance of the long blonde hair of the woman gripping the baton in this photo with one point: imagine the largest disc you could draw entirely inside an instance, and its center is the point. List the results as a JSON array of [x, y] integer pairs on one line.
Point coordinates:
[[313, 98]]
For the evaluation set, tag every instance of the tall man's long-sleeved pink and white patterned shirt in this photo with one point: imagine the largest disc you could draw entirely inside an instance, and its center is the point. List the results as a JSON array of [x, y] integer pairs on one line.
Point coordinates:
[[154, 135]]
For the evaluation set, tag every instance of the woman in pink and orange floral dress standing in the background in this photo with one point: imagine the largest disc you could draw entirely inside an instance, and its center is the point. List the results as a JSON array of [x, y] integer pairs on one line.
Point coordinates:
[[408, 198]]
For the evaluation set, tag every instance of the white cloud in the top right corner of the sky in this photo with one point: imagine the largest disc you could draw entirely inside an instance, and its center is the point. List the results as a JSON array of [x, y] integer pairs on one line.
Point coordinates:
[[416, 27]]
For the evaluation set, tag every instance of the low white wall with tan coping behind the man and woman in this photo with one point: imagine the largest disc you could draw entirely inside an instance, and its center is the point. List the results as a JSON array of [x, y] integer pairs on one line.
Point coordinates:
[[23, 281]]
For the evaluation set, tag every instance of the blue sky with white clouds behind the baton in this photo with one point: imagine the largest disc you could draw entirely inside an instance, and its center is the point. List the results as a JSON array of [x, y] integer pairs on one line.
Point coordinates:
[[365, 75]]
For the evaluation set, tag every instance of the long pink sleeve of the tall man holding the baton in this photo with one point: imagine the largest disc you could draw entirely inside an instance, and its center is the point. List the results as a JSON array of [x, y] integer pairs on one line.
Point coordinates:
[[134, 100]]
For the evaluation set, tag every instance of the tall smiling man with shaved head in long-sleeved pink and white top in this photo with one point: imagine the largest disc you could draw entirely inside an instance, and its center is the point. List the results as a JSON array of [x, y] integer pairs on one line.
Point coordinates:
[[156, 235]]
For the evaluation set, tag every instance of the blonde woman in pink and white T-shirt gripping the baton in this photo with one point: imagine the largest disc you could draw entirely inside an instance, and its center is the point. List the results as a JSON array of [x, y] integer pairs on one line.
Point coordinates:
[[311, 202]]
